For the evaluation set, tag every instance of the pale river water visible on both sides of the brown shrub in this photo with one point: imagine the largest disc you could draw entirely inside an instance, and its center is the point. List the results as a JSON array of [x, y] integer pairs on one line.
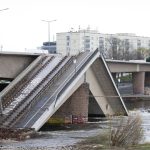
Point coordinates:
[[55, 140]]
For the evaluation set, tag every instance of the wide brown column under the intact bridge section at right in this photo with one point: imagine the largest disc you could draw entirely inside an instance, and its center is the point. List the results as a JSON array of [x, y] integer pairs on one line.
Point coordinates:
[[138, 82]]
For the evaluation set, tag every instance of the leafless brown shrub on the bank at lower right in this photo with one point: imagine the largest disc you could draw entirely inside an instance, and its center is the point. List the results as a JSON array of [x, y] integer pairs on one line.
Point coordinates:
[[128, 132]]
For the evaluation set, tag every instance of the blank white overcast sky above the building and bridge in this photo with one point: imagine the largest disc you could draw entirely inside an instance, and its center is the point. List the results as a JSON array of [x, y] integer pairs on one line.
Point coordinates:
[[21, 26]]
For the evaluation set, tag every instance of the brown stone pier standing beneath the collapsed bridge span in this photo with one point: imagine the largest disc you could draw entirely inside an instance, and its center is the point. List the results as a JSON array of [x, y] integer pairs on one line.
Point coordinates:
[[75, 109]]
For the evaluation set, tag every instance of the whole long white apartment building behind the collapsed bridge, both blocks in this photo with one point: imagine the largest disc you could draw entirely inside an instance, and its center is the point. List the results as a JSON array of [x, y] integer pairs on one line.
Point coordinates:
[[71, 43]]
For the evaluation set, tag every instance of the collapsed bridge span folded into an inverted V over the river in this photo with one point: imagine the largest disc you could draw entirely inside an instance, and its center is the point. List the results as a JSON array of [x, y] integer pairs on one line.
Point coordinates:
[[40, 90]]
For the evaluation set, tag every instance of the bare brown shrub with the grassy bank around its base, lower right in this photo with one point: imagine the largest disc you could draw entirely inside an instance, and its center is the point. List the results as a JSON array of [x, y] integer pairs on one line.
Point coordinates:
[[125, 135]]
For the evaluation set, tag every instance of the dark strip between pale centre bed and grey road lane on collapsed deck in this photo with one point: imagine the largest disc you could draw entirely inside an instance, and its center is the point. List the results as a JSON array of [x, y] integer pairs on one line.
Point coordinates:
[[23, 106]]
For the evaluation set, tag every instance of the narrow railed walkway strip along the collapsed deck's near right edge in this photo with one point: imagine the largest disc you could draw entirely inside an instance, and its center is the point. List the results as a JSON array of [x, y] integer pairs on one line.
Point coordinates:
[[63, 86]]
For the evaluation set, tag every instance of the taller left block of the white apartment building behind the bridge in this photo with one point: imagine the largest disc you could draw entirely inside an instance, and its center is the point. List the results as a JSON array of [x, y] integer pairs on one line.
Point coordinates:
[[72, 43]]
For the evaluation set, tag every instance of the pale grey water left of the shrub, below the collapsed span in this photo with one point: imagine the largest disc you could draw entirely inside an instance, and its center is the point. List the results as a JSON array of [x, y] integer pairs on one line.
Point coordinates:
[[50, 140]]
